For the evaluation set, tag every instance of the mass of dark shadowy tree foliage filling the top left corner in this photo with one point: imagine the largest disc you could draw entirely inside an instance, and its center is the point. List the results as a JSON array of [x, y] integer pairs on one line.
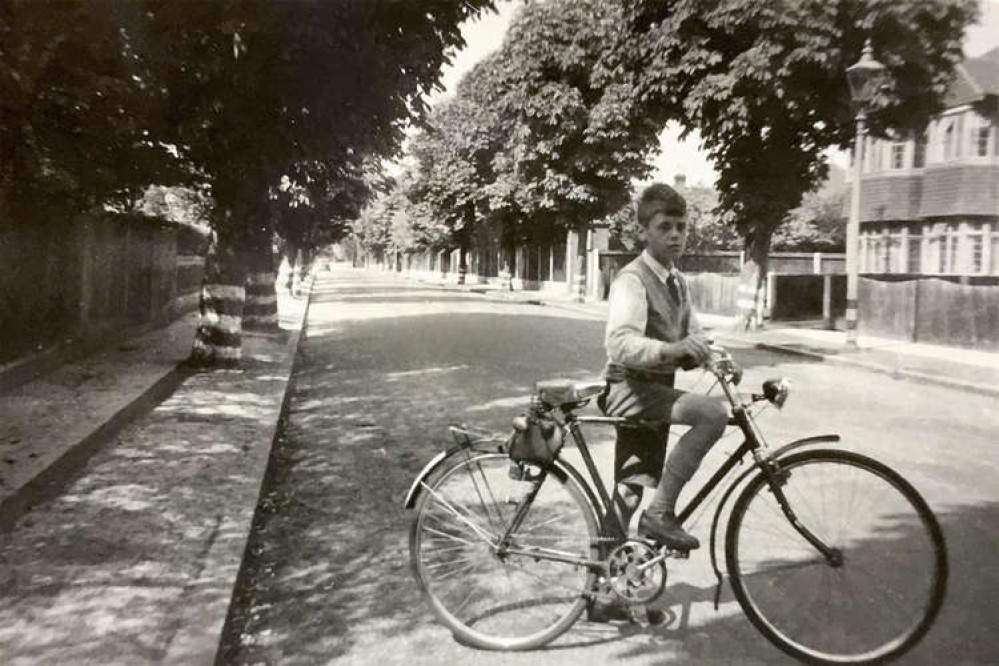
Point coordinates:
[[97, 102]]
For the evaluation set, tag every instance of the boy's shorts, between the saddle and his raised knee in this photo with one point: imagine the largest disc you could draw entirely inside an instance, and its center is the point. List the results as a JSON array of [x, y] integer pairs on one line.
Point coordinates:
[[640, 452]]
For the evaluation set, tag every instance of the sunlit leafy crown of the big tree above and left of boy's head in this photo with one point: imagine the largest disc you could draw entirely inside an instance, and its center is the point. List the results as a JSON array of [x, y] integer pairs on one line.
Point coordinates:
[[542, 135]]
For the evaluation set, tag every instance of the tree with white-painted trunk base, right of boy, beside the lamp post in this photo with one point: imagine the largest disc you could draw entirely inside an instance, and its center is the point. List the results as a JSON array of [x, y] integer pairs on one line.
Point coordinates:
[[764, 84]]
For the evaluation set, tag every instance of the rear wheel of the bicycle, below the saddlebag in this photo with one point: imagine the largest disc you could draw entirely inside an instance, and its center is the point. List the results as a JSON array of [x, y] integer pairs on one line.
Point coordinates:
[[494, 601]]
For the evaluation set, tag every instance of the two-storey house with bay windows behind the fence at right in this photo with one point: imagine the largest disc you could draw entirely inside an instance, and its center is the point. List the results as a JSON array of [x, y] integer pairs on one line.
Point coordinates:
[[930, 204]]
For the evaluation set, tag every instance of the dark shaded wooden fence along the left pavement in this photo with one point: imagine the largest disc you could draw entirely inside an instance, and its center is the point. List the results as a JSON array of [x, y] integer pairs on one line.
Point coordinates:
[[81, 280]]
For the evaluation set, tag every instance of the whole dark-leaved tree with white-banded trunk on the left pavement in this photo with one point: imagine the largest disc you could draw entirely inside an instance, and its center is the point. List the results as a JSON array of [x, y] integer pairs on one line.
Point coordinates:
[[258, 88]]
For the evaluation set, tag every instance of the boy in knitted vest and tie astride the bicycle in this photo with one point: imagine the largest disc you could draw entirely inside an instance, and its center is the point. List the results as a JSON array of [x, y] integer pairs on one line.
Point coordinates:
[[652, 331]]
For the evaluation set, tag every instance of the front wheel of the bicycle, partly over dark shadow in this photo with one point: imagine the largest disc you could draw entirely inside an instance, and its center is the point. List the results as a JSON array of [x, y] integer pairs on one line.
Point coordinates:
[[876, 591]]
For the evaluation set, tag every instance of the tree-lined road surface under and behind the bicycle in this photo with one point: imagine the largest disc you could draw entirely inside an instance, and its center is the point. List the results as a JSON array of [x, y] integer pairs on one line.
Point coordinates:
[[387, 364]]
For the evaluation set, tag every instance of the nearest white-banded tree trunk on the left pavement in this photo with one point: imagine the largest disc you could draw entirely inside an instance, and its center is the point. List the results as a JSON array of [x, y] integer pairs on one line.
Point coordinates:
[[218, 340]]
